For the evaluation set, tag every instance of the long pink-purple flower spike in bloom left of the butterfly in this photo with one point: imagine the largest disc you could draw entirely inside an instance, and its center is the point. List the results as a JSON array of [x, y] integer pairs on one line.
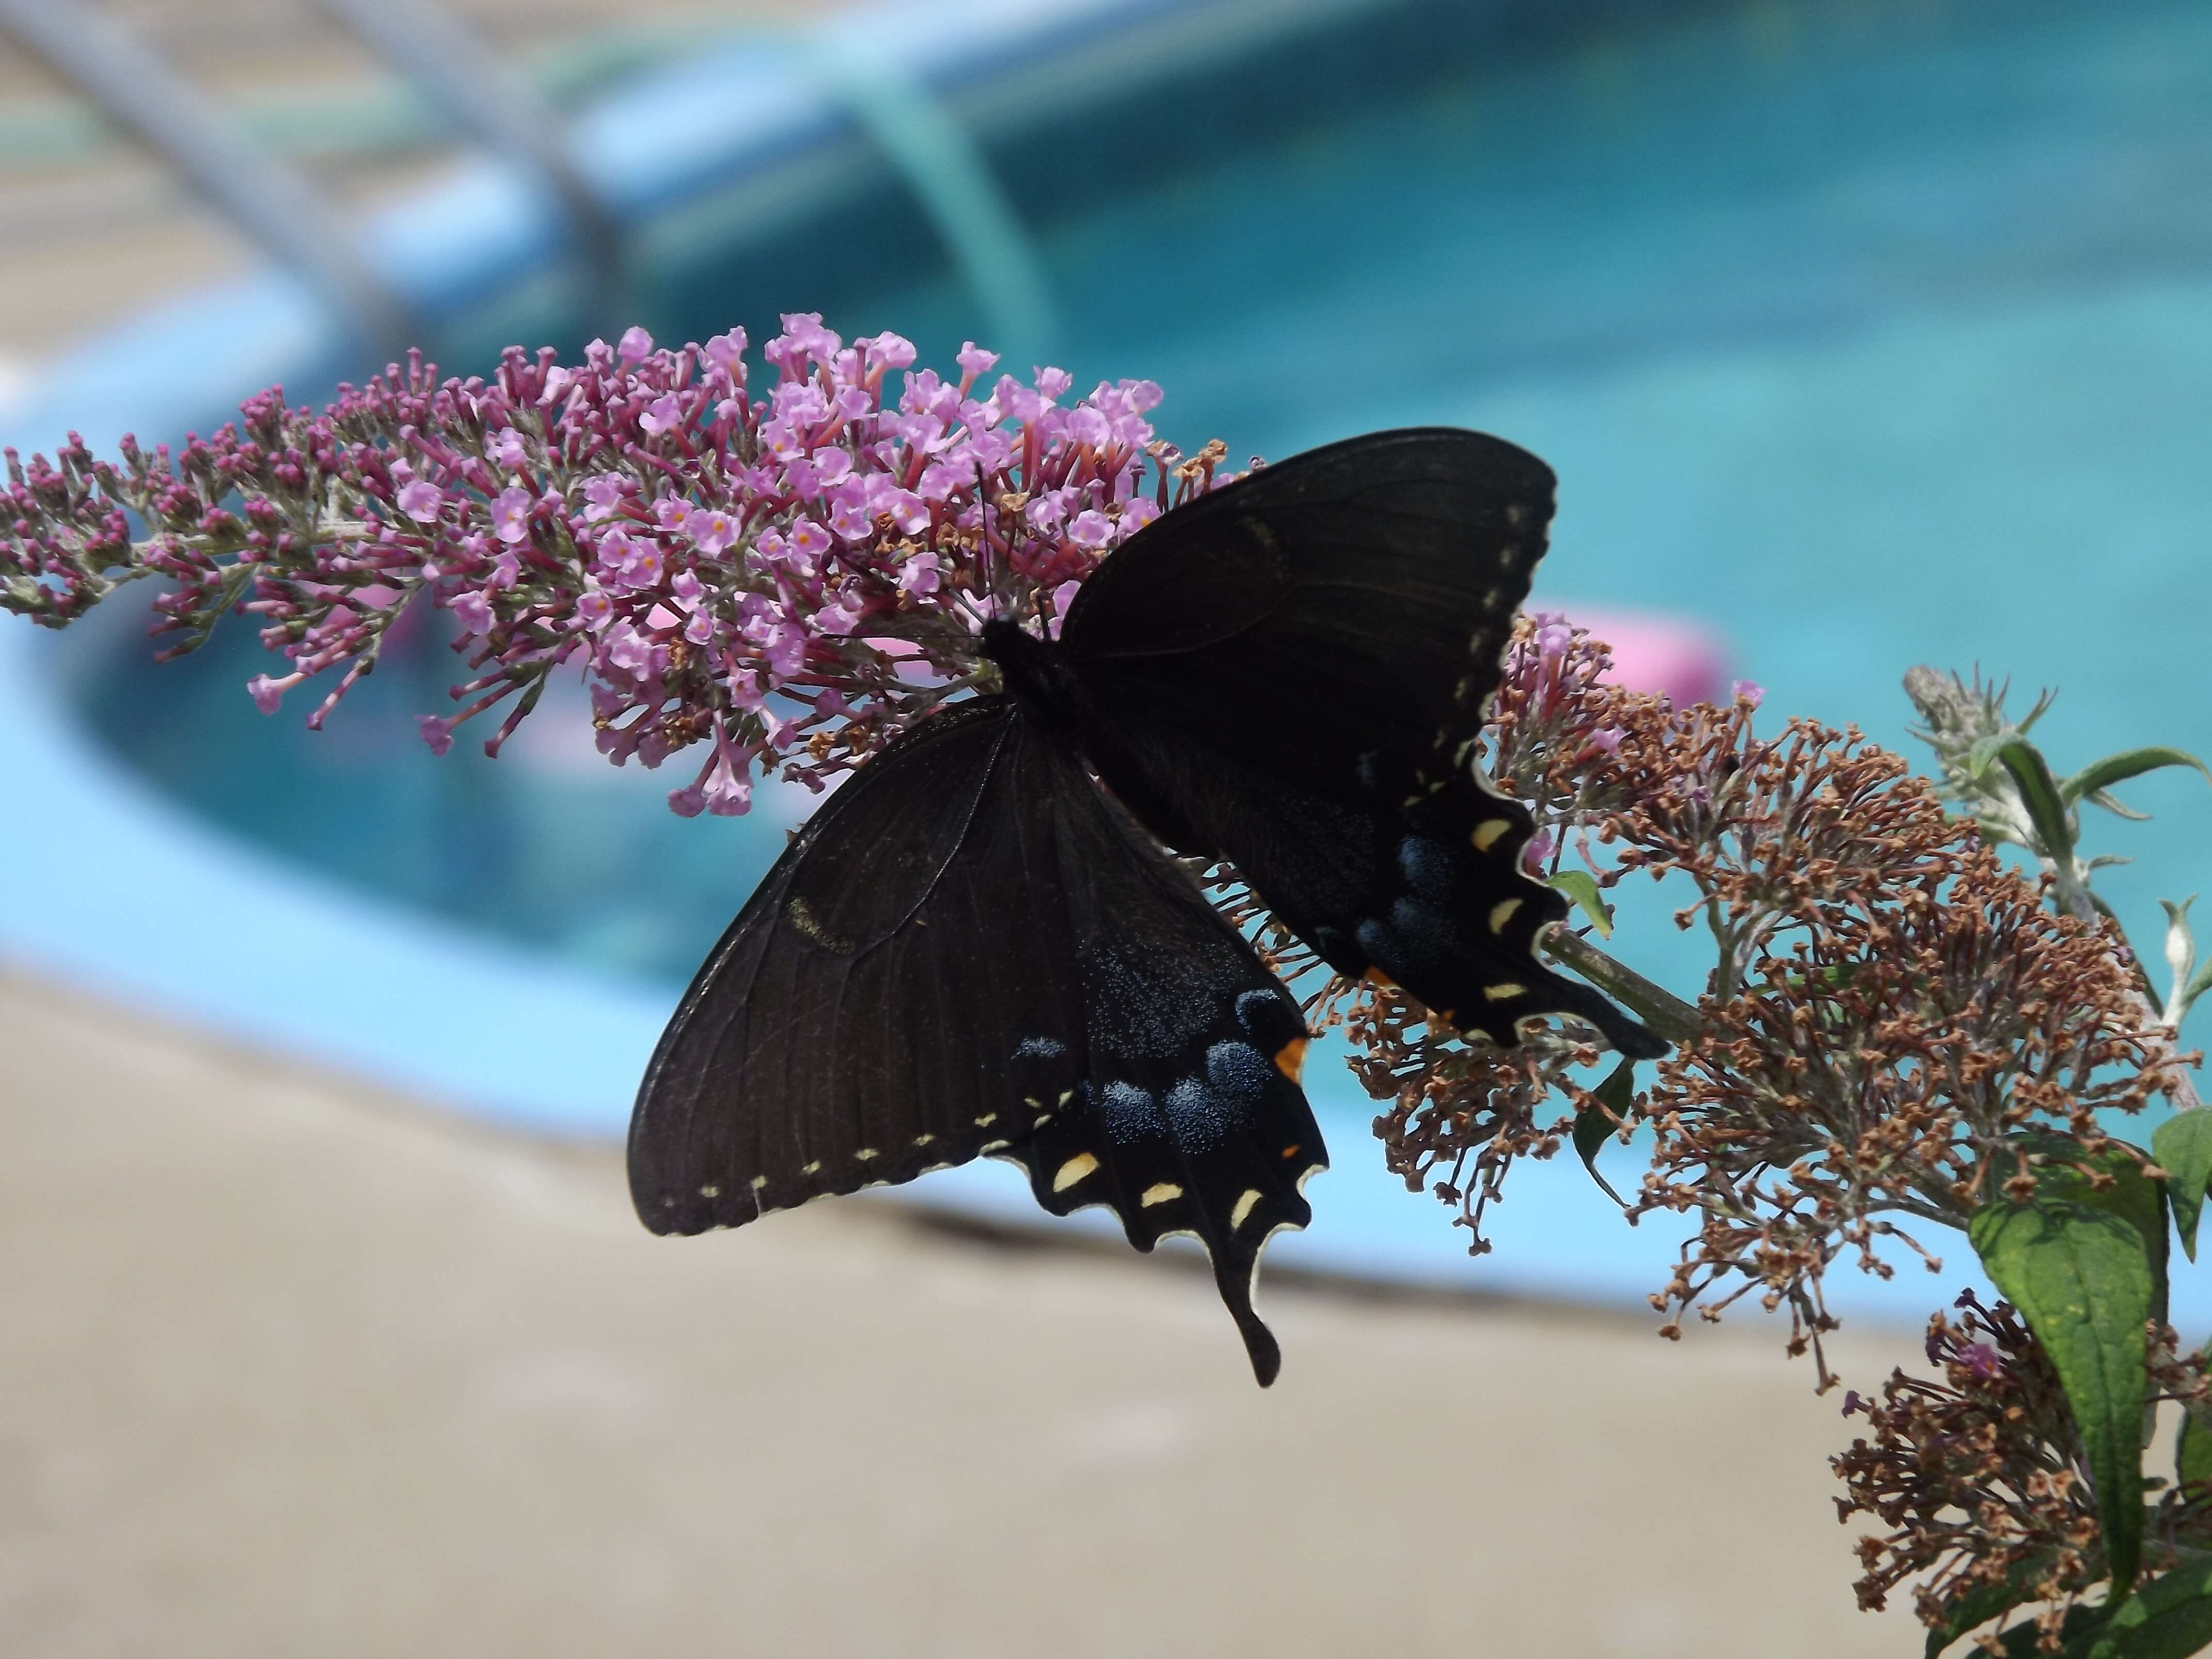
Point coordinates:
[[782, 574]]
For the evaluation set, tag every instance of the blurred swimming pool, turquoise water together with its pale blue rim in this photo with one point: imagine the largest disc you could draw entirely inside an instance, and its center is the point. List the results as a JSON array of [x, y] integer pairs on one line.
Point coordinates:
[[1864, 333]]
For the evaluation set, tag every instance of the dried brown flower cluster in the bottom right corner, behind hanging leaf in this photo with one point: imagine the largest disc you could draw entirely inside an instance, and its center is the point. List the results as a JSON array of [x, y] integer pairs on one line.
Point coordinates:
[[1983, 1483]]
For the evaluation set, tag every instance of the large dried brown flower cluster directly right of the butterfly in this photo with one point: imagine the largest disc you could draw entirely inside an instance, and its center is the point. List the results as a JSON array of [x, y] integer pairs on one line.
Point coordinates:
[[1890, 1001]]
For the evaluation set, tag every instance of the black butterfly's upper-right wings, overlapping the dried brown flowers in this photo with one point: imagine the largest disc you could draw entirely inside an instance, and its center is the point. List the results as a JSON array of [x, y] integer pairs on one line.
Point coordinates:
[[1288, 674]]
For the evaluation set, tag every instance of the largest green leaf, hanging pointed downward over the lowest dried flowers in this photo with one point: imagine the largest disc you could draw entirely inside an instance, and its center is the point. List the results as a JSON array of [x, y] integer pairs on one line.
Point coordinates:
[[2080, 1275]]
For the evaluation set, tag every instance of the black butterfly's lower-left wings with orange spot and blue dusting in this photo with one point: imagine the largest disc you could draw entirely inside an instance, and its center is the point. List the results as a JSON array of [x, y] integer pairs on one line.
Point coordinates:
[[972, 952]]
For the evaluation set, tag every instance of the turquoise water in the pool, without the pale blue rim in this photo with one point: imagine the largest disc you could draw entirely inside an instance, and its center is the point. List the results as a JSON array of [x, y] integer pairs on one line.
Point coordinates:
[[1866, 333]]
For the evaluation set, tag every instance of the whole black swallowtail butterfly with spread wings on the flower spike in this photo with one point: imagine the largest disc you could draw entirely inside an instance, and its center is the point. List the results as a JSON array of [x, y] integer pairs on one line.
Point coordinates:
[[977, 950]]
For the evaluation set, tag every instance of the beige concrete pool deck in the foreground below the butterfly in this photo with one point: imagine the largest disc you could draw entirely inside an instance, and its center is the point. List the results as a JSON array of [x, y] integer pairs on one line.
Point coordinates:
[[295, 1368]]
